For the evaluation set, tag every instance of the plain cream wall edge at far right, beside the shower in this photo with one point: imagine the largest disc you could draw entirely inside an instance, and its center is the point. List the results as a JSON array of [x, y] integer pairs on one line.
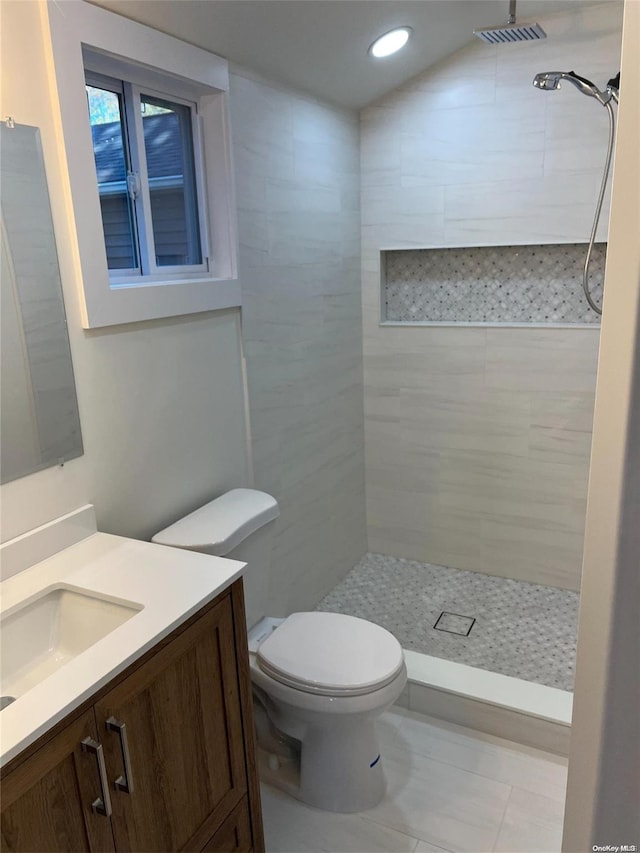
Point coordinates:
[[604, 762]]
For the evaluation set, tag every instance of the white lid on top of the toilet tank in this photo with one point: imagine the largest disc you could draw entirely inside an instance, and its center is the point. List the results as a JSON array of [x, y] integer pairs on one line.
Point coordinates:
[[221, 525]]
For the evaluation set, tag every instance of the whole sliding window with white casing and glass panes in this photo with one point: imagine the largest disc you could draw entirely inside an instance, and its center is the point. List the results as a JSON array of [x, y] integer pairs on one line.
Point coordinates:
[[146, 135]]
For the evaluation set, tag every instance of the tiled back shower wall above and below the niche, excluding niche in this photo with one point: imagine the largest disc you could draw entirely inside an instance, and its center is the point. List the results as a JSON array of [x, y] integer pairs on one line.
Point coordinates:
[[477, 439]]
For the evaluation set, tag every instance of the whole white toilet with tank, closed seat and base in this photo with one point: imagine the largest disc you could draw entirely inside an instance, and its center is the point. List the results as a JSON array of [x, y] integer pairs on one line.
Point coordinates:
[[319, 679]]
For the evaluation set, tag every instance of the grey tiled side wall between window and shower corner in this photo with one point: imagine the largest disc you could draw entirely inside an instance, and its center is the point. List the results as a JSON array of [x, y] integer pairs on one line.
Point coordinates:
[[297, 177]]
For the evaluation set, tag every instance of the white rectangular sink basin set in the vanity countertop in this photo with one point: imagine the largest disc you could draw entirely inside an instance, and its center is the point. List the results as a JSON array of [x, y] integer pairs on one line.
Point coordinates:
[[43, 633]]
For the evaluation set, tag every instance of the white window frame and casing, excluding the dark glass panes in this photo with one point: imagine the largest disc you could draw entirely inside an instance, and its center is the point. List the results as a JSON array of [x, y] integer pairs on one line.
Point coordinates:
[[151, 63]]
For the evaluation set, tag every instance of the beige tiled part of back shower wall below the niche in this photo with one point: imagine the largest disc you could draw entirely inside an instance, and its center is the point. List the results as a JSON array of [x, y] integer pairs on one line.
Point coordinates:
[[474, 457]]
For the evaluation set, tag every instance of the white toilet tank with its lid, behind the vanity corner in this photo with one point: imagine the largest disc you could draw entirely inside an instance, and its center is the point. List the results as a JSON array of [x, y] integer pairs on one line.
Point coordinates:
[[238, 525]]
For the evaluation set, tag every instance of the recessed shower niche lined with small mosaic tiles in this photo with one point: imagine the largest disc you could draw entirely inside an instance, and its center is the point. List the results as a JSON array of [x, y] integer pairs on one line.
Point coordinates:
[[514, 285]]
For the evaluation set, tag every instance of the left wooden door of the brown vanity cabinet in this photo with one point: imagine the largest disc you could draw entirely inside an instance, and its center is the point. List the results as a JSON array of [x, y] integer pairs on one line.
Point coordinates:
[[46, 800]]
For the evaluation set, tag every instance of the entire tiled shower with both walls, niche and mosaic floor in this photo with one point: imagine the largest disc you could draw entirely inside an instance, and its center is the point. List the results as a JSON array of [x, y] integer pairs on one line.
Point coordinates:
[[476, 195]]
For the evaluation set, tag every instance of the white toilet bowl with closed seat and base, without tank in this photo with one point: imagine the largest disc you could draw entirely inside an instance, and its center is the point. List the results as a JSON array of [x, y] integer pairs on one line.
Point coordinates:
[[323, 679]]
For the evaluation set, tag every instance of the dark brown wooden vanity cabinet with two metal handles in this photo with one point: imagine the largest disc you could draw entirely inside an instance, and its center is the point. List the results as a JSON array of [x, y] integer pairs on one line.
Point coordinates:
[[161, 760]]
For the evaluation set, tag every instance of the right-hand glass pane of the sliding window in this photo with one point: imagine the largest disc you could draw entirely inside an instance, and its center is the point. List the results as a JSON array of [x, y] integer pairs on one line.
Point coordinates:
[[168, 142]]
